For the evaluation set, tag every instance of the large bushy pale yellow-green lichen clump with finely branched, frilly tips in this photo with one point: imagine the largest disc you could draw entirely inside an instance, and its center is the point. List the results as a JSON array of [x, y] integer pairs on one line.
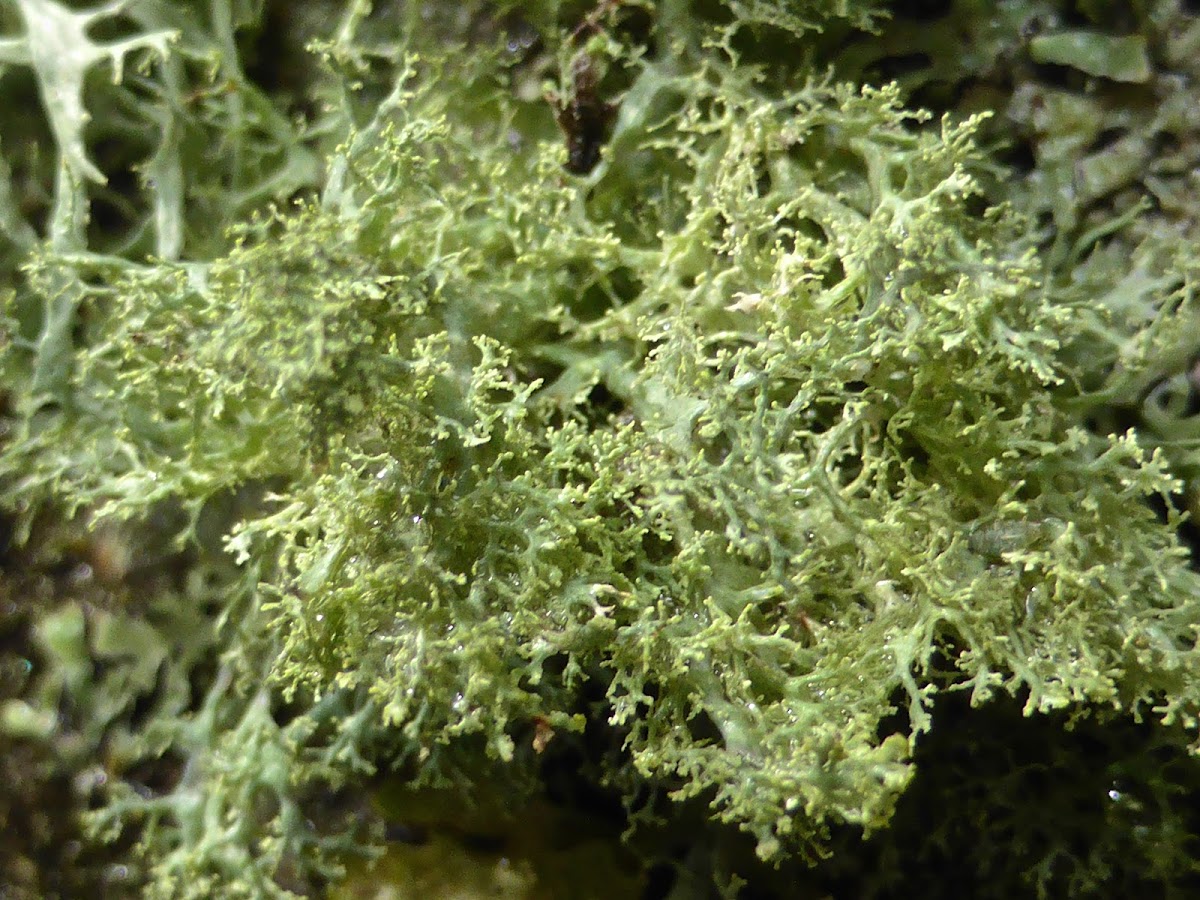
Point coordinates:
[[753, 443]]
